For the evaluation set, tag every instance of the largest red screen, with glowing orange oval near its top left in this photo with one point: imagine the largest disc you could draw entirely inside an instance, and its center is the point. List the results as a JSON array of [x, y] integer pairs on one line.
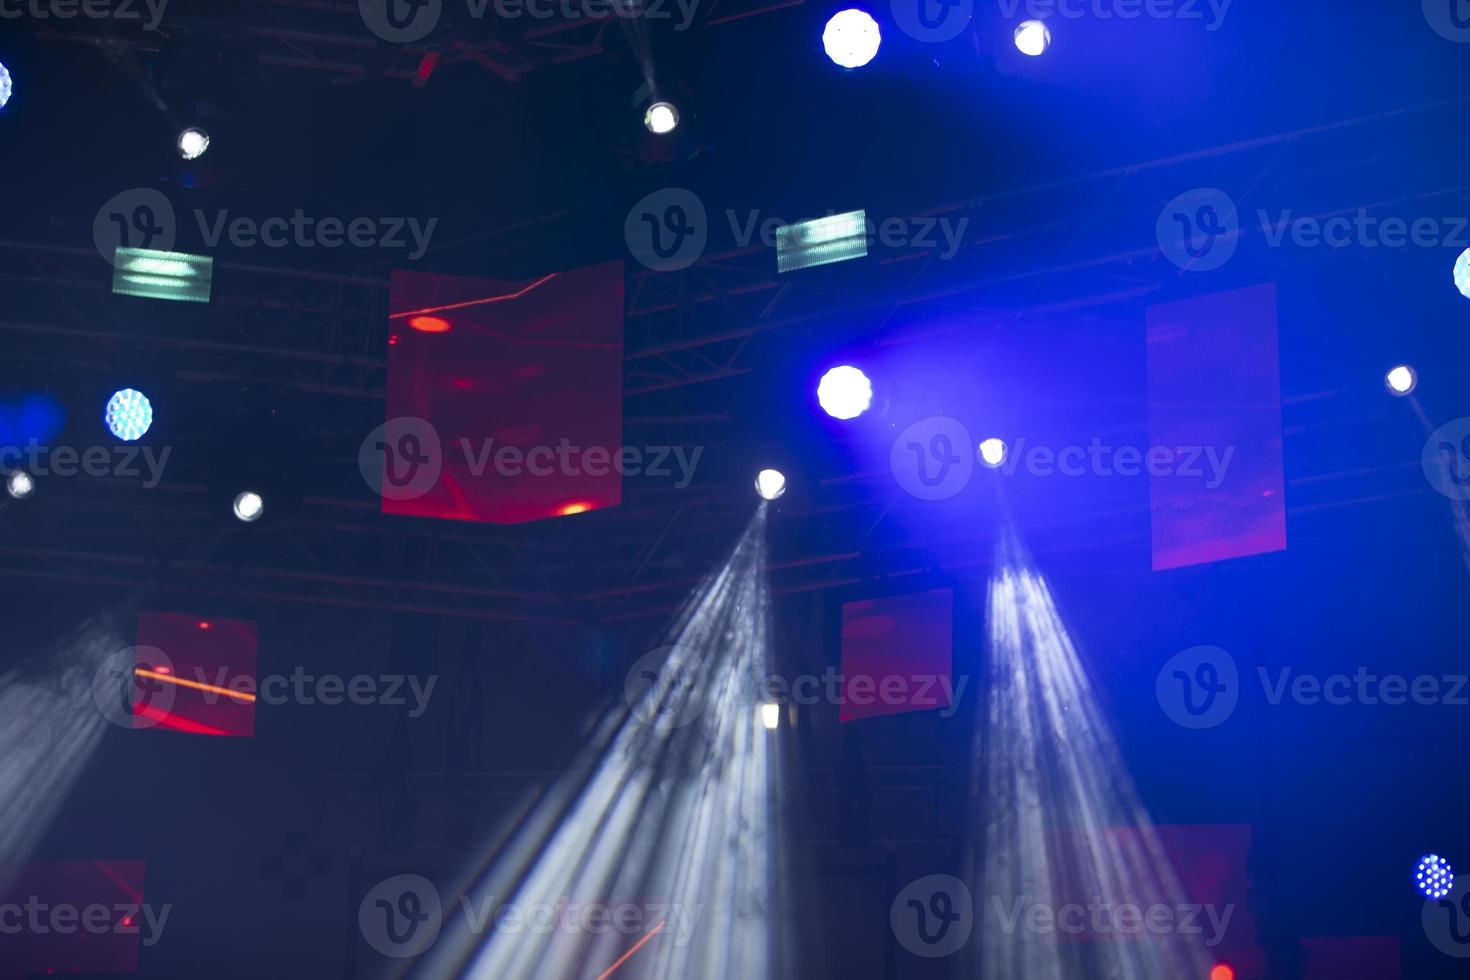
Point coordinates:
[[523, 389]]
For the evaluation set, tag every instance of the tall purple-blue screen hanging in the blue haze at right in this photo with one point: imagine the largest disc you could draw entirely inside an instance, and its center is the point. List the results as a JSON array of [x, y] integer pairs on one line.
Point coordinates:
[[1215, 408]]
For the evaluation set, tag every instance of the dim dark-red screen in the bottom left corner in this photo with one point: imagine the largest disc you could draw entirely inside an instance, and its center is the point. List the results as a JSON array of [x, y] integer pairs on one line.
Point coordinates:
[[64, 918]]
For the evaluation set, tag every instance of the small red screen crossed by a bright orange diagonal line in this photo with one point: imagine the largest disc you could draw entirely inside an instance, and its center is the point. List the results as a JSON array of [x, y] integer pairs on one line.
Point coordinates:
[[207, 681]]
